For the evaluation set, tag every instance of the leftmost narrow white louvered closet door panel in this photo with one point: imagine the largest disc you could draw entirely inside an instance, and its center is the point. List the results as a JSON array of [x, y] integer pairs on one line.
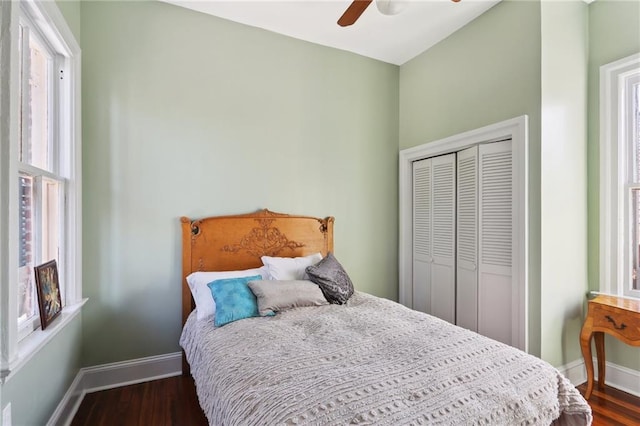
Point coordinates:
[[422, 255]]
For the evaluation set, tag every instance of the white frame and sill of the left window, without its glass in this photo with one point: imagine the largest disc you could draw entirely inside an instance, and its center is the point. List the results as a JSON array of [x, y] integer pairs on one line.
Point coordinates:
[[15, 353]]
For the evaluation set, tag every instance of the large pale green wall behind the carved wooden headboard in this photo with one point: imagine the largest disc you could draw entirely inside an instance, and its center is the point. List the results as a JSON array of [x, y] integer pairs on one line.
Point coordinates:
[[188, 114]]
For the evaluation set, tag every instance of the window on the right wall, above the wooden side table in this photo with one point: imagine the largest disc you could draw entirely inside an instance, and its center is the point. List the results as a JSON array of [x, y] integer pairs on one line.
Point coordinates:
[[620, 177]]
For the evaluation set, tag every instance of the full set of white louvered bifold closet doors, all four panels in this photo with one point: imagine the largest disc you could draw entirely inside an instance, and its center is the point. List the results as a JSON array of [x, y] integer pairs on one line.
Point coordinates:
[[463, 238]]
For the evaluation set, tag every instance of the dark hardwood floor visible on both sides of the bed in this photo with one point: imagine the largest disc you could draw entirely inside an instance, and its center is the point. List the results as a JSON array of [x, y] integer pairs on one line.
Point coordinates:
[[173, 401]]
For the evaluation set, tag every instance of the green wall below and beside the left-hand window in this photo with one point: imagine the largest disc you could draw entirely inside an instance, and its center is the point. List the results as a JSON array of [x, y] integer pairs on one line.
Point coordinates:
[[37, 388]]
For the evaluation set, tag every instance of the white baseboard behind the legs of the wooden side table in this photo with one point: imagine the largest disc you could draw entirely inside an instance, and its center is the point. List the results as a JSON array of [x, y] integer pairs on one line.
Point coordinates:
[[619, 377]]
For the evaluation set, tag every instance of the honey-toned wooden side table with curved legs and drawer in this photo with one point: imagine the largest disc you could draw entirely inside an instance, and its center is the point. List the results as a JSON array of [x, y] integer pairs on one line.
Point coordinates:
[[617, 316]]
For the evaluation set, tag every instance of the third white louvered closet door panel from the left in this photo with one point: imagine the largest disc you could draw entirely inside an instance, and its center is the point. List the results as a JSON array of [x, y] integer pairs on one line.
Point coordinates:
[[467, 240]]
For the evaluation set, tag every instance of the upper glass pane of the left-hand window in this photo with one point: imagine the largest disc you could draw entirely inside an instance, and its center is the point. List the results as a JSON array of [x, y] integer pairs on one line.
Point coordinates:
[[34, 141]]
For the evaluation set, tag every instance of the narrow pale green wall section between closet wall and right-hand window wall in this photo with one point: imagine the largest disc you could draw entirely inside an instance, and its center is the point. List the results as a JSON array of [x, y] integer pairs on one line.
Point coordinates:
[[563, 178]]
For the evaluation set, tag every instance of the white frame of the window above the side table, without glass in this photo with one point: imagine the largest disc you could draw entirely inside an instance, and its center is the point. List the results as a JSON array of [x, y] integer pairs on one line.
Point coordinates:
[[615, 256]]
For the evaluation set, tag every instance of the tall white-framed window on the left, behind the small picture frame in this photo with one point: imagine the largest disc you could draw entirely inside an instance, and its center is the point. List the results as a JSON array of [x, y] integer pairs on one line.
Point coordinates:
[[39, 170]]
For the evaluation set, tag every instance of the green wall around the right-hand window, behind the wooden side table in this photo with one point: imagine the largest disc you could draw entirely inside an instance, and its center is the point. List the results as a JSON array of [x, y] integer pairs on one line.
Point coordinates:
[[614, 33]]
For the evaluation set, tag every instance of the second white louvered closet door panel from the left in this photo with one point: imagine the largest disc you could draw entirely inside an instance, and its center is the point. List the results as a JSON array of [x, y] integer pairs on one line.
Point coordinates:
[[443, 273]]
